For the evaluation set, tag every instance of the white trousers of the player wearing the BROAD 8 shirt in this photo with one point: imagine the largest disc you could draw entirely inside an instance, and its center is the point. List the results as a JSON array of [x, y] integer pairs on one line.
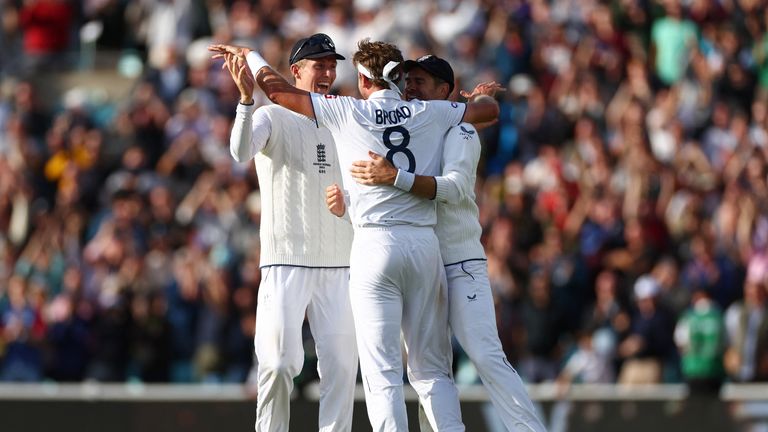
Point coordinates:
[[397, 282]]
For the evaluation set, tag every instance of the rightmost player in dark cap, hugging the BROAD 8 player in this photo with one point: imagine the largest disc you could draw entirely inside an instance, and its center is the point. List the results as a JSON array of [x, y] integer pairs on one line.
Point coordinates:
[[472, 315]]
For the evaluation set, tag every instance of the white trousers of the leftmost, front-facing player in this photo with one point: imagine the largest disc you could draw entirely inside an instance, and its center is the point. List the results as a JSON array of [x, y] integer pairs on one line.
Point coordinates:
[[286, 295]]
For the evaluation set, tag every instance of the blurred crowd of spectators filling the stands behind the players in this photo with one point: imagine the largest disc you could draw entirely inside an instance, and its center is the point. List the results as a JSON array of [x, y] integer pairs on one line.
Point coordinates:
[[623, 192]]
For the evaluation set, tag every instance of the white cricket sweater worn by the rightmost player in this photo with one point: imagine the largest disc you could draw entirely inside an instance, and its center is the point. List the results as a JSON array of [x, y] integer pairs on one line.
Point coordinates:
[[458, 227]]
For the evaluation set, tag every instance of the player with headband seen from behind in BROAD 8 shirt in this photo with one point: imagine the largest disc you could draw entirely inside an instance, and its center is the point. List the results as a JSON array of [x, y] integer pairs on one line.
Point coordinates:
[[397, 279]]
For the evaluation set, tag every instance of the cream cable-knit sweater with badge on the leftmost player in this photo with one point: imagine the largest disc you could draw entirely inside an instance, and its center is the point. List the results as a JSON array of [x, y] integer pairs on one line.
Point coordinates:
[[295, 161]]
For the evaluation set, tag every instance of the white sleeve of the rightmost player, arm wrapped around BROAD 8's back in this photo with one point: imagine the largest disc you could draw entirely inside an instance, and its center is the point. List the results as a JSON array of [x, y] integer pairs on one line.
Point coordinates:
[[461, 153]]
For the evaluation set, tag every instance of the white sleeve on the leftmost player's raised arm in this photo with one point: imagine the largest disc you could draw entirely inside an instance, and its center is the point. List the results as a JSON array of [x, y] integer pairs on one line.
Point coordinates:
[[250, 132]]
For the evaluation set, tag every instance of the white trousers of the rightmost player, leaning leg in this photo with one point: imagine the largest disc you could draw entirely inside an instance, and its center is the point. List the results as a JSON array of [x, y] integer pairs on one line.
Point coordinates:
[[473, 322]]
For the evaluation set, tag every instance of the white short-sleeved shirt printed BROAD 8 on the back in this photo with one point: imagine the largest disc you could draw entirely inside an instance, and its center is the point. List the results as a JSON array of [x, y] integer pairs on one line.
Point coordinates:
[[409, 134]]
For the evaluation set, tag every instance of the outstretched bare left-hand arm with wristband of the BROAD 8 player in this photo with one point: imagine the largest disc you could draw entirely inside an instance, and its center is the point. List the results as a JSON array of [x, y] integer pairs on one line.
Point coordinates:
[[277, 89]]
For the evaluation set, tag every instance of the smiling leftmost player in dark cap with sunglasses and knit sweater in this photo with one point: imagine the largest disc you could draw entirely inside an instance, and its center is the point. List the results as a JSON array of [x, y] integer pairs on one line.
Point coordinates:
[[304, 254]]
